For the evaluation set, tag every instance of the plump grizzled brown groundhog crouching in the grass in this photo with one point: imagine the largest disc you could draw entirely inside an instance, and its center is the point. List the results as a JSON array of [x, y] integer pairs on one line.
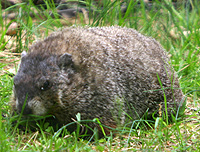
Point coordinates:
[[114, 74]]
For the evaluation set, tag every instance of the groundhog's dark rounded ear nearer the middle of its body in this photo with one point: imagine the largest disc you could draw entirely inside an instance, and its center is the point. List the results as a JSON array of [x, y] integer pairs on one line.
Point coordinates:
[[65, 60]]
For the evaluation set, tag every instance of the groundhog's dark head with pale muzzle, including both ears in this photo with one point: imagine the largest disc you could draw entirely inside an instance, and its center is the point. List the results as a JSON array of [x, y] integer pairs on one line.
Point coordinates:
[[39, 81]]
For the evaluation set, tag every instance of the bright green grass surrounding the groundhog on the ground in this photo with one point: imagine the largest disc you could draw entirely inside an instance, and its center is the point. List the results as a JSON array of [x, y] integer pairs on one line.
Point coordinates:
[[164, 23]]
